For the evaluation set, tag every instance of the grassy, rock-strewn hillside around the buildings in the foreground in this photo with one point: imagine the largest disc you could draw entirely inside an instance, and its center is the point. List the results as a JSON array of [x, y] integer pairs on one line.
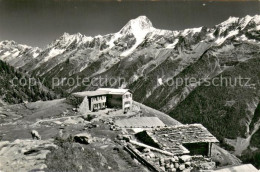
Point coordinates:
[[72, 141]]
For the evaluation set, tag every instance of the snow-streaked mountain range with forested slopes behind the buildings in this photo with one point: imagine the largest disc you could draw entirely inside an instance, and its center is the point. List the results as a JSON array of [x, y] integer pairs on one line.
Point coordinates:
[[154, 64]]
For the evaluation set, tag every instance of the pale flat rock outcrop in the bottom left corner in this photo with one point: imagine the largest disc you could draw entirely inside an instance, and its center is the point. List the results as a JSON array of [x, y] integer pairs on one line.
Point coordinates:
[[24, 155]]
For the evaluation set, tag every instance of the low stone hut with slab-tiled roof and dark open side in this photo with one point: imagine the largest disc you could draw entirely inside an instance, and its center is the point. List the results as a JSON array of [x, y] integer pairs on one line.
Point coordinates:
[[193, 137]]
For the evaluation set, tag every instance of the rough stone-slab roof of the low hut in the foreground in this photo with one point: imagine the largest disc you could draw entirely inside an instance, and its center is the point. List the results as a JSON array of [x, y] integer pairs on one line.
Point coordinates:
[[173, 138]]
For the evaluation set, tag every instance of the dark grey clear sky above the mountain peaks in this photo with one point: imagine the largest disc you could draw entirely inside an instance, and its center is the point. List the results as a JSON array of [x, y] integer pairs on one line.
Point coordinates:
[[39, 22]]
